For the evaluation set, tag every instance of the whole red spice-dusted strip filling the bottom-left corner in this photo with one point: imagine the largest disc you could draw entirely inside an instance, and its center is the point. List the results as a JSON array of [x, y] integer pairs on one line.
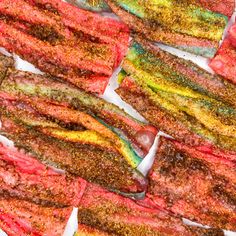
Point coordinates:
[[35, 197]]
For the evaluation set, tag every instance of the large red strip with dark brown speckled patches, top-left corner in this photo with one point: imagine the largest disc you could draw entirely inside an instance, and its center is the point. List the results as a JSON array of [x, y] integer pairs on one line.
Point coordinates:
[[70, 42]]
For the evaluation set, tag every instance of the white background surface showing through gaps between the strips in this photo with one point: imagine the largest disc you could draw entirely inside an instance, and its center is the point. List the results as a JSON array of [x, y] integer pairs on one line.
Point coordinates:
[[111, 96]]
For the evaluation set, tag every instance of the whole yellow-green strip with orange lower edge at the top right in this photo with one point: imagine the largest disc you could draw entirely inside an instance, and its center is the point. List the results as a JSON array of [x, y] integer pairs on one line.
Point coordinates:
[[184, 25]]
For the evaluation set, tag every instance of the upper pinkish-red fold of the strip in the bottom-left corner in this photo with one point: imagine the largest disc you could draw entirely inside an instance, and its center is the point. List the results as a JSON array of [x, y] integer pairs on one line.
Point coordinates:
[[23, 177]]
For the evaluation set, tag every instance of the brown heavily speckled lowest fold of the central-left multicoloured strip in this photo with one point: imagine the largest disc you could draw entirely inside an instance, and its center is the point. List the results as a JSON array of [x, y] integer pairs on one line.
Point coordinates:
[[108, 169]]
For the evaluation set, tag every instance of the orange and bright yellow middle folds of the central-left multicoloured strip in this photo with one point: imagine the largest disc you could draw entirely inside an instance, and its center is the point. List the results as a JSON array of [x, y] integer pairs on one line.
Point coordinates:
[[86, 132]]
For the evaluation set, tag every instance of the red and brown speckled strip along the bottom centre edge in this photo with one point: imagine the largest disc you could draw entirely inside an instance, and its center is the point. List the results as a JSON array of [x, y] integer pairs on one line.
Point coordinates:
[[117, 215]]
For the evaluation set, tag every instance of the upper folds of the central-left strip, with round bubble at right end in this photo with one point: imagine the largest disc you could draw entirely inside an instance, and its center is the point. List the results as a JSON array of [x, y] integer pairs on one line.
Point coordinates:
[[69, 105]]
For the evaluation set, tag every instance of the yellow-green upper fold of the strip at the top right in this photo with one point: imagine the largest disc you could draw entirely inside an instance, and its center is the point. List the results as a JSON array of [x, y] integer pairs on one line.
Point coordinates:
[[178, 16]]
